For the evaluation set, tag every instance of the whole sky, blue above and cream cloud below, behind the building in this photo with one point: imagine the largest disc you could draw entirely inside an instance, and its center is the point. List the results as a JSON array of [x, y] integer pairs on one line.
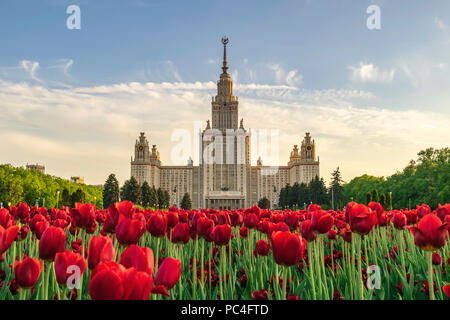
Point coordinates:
[[75, 100]]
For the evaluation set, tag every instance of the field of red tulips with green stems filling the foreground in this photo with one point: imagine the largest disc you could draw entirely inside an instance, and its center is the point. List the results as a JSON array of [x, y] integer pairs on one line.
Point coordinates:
[[126, 253]]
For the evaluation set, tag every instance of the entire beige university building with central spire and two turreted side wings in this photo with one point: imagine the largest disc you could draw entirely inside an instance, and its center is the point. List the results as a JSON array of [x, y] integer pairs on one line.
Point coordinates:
[[224, 178]]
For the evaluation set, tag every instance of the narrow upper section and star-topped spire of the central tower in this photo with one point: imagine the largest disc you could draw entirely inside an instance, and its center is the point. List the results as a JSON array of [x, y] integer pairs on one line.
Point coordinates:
[[224, 104]]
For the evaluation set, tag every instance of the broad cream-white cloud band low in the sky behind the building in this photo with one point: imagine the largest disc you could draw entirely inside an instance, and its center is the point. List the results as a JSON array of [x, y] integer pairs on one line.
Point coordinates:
[[90, 131]]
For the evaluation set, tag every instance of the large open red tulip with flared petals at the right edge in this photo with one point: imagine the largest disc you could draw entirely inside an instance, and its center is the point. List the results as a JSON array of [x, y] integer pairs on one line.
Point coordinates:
[[430, 233]]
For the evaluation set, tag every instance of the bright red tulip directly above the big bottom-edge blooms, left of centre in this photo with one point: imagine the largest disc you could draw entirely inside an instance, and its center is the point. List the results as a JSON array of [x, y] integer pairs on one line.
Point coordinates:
[[141, 258]]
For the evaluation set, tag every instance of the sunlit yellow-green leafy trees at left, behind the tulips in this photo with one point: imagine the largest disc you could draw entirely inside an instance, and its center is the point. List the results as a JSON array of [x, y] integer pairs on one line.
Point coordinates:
[[34, 187]]
